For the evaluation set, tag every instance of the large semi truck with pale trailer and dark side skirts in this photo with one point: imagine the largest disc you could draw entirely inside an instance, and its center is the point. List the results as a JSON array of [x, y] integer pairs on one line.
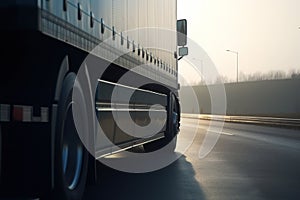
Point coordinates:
[[44, 44]]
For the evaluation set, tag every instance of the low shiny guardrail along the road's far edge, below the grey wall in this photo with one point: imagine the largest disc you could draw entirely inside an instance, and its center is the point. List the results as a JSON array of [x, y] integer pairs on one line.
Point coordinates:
[[270, 121]]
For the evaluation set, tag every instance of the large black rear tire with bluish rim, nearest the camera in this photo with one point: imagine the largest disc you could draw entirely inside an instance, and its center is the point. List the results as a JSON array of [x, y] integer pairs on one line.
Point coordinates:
[[71, 157]]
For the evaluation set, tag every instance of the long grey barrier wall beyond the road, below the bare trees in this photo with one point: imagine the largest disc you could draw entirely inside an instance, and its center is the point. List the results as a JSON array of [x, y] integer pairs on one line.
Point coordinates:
[[276, 98]]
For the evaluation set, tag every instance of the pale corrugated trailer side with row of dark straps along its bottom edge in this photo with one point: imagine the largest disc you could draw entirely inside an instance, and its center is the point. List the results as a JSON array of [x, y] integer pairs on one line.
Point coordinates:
[[135, 16]]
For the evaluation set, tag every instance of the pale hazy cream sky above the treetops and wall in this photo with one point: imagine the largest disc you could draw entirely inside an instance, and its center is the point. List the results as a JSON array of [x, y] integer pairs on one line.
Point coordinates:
[[265, 33]]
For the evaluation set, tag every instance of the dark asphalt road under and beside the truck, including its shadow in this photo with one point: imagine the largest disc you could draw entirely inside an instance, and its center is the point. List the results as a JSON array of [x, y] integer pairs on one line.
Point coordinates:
[[247, 162]]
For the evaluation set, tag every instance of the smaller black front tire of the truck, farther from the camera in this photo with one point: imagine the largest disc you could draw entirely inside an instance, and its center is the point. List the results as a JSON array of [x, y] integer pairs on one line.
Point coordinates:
[[173, 123]]
